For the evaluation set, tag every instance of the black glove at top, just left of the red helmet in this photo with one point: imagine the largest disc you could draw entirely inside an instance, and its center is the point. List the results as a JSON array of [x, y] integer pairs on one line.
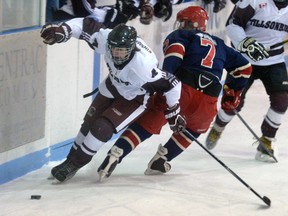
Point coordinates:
[[163, 9]]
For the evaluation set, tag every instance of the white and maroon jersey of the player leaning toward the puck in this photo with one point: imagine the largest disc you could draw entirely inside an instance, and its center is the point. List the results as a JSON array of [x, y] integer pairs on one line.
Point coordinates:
[[140, 76]]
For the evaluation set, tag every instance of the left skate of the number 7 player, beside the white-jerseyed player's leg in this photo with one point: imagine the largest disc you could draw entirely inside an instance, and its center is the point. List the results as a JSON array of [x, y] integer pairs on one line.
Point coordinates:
[[110, 163]]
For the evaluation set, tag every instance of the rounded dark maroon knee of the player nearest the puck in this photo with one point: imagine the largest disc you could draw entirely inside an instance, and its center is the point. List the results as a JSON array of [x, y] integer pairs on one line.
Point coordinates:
[[102, 129]]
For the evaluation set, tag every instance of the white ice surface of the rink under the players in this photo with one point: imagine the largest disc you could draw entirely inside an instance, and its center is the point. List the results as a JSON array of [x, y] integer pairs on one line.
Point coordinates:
[[197, 184]]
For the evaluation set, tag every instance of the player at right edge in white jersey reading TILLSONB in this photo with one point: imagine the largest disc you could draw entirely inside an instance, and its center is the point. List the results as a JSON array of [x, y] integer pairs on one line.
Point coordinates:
[[254, 25]]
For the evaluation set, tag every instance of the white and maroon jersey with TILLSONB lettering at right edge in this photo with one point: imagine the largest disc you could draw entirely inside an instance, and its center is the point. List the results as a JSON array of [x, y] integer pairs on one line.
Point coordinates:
[[262, 20]]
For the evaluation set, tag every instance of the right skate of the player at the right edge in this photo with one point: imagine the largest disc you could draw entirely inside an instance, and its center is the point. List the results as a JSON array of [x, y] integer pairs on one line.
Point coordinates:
[[262, 153]]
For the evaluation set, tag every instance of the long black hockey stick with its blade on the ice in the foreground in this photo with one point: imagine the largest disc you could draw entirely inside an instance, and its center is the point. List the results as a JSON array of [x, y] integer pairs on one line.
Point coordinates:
[[265, 199]]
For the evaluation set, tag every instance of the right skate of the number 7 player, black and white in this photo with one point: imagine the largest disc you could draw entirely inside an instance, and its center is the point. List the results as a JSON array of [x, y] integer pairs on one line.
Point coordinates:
[[158, 164]]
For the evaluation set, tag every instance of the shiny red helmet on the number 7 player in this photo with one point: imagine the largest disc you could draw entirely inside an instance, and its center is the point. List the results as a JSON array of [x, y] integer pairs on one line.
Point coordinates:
[[193, 17]]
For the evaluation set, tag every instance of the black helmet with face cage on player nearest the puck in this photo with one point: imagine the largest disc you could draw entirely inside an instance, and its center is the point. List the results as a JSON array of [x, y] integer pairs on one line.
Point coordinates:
[[122, 43]]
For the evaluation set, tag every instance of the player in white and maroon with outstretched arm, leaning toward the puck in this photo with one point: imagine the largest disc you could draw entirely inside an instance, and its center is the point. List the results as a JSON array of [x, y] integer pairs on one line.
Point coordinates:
[[123, 94]]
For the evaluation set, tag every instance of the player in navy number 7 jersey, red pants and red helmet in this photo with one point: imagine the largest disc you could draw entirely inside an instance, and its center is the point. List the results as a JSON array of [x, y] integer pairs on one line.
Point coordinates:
[[197, 59]]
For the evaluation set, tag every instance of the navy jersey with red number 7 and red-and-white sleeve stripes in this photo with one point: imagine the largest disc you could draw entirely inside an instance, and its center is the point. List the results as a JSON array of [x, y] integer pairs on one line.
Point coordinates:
[[197, 50]]
